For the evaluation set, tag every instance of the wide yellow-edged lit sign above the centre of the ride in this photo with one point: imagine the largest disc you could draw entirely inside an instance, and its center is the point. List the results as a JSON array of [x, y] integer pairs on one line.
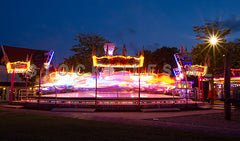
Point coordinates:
[[118, 61]]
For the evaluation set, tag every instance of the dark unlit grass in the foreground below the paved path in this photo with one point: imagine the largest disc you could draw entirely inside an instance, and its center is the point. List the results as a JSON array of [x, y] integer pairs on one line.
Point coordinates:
[[42, 127]]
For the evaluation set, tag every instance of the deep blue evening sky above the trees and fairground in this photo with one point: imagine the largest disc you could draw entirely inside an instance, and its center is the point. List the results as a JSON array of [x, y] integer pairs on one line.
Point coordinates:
[[52, 24]]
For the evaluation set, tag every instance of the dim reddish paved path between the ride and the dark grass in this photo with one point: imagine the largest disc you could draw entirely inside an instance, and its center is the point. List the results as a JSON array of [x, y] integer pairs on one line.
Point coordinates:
[[208, 121]]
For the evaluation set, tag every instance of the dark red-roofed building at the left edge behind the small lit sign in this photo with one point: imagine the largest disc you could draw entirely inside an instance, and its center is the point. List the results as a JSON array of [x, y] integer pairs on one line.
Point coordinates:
[[15, 54]]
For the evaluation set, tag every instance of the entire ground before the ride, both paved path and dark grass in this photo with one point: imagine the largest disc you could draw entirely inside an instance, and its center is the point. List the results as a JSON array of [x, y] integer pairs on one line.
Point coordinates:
[[26, 124]]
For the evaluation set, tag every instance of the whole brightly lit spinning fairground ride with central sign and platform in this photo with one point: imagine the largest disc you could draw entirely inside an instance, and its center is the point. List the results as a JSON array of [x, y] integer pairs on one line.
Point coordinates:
[[115, 82]]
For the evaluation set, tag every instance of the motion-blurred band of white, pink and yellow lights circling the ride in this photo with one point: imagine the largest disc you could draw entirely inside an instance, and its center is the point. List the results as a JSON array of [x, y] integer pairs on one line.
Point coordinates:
[[149, 82]]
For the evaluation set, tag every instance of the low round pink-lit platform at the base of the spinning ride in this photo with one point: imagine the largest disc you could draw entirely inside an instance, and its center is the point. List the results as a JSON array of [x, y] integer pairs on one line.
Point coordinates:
[[108, 96]]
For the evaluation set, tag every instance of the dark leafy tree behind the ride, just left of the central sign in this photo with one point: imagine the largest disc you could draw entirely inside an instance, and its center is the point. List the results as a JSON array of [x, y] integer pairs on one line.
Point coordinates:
[[83, 50]]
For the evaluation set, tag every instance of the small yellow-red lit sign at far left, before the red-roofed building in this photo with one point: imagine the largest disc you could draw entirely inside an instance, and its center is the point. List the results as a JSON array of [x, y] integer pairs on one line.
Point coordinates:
[[18, 67]]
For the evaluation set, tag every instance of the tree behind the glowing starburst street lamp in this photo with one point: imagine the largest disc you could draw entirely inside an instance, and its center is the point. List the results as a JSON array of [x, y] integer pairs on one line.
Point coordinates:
[[212, 55]]
